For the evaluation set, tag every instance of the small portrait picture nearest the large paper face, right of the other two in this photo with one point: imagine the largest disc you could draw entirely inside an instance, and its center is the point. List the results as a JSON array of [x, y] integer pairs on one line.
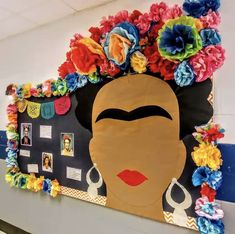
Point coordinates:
[[67, 144]]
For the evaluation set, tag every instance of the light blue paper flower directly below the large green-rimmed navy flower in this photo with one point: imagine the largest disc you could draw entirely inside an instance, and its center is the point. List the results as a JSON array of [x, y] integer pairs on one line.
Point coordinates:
[[184, 75]]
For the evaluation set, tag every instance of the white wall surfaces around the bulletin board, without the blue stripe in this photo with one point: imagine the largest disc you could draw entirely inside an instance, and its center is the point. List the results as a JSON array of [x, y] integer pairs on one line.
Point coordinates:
[[35, 56]]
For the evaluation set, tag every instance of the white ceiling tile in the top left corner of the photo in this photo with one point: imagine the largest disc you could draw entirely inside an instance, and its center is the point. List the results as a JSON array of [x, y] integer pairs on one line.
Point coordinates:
[[19, 5]]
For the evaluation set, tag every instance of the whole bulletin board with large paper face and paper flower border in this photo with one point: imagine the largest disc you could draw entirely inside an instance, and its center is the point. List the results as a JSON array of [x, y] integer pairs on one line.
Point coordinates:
[[128, 123]]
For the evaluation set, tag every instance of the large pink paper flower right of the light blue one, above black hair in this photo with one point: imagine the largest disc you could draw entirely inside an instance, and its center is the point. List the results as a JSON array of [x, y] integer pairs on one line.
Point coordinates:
[[207, 61]]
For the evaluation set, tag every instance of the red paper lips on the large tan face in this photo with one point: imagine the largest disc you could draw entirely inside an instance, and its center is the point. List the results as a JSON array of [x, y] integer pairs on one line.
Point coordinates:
[[132, 178]]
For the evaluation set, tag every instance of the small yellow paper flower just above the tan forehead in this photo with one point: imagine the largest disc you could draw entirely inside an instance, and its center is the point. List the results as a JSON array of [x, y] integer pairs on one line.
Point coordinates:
[[139, 62]]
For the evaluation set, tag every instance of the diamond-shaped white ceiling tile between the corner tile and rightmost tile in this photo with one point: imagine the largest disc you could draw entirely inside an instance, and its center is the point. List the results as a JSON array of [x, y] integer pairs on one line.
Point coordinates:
[[48, 11]]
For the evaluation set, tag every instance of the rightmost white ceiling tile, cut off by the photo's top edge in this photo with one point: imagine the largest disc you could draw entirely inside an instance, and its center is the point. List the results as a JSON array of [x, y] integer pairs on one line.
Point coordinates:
[[81, 4]]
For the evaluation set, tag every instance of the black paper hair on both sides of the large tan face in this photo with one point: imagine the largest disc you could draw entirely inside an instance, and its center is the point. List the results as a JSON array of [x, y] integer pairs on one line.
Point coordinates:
[[194, 108]]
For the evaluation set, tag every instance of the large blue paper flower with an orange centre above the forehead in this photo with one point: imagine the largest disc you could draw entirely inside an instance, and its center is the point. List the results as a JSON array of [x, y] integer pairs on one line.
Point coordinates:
[[120, 43]]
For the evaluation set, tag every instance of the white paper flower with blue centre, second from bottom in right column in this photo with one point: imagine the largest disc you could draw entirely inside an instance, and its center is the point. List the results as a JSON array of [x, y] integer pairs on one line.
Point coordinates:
[[207, 209]]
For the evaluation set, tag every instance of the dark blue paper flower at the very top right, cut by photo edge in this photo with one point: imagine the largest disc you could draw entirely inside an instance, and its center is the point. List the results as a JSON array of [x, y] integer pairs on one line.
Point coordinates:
[[197, 8]]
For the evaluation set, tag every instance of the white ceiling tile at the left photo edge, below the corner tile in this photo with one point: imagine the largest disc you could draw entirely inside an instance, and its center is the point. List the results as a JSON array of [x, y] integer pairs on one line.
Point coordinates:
[[14, 25]]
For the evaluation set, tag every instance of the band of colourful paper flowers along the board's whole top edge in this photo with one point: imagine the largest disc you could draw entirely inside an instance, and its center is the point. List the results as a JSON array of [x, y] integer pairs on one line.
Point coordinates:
[[180, 46]]
